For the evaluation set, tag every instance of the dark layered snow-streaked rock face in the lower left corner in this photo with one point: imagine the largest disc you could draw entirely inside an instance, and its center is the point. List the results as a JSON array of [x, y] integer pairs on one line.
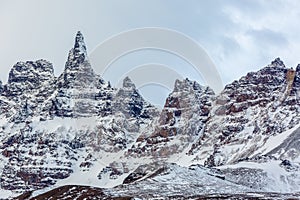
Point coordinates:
[[34, 158]]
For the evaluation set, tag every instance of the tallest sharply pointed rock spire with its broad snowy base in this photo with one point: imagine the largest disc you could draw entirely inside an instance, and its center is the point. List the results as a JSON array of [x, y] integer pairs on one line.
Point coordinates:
[[81, 93]]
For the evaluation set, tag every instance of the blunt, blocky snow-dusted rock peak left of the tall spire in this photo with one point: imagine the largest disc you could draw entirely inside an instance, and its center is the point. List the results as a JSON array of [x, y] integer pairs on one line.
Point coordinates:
[[30, 85]]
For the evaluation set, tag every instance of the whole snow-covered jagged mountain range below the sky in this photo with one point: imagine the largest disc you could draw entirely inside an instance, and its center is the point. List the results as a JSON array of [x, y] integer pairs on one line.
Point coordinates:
[[76, 129]]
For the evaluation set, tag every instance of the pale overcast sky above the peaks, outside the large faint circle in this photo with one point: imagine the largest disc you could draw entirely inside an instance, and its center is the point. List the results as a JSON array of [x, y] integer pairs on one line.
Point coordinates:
[[239, 36]]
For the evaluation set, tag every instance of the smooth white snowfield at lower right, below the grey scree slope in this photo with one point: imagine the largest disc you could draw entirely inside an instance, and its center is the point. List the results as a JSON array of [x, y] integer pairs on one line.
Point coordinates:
[[266, 175]]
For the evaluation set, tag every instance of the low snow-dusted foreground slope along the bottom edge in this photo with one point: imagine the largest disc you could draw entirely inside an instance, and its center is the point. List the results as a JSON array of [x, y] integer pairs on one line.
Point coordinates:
[[171, 181]]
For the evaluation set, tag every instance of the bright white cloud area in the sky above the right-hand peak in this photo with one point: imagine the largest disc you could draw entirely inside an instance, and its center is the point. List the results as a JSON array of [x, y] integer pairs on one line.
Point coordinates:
[[263, 30]]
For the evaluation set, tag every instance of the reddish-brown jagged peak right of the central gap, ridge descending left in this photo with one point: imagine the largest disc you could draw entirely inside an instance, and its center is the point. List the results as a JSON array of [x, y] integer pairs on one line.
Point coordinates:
[[180, 123]]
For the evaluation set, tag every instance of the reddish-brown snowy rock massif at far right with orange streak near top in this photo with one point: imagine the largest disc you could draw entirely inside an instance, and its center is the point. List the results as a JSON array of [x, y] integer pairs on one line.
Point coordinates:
[[249, 111]]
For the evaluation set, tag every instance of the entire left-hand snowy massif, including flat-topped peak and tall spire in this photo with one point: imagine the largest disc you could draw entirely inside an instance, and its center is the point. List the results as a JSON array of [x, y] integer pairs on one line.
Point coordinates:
[[49, 125]]
